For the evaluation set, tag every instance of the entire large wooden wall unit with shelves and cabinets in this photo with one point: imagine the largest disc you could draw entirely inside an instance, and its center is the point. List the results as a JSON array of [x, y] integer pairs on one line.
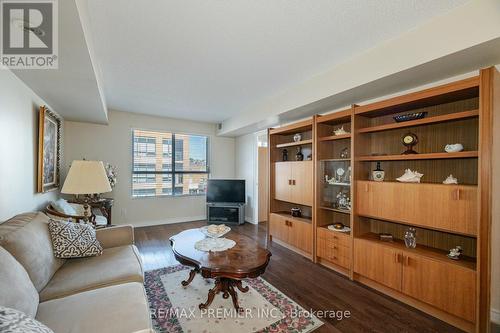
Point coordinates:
[[444, 215]]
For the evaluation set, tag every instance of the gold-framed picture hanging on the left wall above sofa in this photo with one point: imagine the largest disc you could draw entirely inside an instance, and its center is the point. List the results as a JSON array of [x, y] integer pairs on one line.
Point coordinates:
[[49, 150]]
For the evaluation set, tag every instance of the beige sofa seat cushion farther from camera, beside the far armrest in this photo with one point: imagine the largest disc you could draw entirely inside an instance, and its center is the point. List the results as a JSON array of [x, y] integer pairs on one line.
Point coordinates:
[[115, 266]]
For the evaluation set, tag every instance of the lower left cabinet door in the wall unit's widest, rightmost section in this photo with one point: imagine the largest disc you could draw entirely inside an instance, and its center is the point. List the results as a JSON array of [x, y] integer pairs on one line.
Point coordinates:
[[379, 263]]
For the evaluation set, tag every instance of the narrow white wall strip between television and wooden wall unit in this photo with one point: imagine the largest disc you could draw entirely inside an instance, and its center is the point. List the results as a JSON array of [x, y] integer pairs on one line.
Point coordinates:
[[246, 164]]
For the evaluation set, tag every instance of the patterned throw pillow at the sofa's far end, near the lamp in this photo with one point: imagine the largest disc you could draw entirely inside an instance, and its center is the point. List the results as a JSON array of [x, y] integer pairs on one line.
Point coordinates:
[[73, 240]]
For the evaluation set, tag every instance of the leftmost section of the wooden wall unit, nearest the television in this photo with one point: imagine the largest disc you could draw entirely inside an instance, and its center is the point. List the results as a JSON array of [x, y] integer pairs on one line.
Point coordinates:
[[292, 185]]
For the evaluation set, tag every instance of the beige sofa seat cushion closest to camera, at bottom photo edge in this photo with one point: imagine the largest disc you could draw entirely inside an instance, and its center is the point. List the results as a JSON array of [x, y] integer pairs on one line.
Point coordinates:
[[114, 309]]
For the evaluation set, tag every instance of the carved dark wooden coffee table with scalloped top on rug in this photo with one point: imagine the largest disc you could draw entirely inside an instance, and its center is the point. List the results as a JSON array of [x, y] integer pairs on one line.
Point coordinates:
[[245, 260]]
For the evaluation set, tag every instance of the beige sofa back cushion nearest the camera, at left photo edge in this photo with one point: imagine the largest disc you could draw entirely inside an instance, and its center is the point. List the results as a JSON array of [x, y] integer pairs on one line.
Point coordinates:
[[16, 289]]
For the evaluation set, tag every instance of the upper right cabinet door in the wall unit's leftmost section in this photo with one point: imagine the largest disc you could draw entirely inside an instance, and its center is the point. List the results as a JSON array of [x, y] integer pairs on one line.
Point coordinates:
[[302, 183]]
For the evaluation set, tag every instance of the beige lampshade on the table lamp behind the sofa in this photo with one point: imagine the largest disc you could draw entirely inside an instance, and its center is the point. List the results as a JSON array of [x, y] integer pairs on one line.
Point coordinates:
[[86, 177]]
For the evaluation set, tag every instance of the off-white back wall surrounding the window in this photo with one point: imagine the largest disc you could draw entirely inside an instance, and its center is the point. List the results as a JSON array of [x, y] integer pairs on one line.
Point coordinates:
[[113, 144]]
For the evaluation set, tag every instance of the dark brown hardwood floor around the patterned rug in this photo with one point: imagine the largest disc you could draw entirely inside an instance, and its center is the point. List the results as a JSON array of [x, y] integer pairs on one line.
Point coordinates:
[[311, 285]]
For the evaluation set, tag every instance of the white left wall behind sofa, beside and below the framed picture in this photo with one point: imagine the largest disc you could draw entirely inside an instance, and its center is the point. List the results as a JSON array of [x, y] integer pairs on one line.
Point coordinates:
[[18, 148]]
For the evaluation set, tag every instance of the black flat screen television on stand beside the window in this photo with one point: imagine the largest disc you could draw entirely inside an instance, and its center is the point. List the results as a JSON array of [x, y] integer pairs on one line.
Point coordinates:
[[226, 190]]
